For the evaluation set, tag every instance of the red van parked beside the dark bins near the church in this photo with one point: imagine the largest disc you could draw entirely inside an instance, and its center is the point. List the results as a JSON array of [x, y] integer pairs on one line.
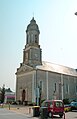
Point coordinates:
[[54, 107]]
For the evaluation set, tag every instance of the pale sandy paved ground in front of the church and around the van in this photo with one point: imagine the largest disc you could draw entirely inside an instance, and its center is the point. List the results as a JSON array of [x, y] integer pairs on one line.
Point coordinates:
[[28, 112]]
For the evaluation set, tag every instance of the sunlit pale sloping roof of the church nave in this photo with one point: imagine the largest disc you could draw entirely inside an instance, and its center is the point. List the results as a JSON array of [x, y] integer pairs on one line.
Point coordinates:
[[47, 66]]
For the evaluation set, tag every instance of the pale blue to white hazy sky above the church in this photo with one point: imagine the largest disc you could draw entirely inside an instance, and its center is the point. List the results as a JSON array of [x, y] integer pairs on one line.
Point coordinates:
[[58, 34]]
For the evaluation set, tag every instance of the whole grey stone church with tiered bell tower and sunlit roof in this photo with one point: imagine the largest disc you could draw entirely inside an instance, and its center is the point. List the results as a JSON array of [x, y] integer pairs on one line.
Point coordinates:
[[38, 80]]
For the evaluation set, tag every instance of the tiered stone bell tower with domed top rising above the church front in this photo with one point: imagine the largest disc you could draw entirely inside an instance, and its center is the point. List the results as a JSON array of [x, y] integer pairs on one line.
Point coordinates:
[[32, 54]]
